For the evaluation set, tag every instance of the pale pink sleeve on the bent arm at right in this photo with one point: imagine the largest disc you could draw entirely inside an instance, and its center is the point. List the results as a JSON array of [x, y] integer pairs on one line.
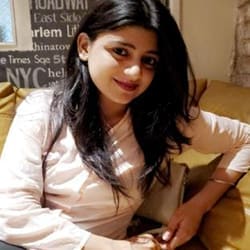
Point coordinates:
[[211, 133]]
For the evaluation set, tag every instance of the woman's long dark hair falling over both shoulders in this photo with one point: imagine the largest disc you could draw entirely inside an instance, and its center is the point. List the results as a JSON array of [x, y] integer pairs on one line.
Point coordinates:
[[154, 114]]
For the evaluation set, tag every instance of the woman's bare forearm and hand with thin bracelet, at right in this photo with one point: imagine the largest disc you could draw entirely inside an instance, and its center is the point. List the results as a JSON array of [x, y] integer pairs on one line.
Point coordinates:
[[184, 223]]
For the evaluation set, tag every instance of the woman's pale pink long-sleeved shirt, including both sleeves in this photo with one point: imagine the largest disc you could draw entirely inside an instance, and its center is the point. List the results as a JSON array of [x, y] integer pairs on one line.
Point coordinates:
[[78, 202]]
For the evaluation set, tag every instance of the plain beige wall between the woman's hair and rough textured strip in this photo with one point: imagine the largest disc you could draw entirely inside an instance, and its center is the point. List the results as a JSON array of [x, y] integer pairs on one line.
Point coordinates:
[[208, 29]]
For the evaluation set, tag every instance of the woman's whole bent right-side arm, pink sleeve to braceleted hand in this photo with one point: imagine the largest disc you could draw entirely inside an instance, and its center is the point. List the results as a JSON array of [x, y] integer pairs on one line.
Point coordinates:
[[211, 134]]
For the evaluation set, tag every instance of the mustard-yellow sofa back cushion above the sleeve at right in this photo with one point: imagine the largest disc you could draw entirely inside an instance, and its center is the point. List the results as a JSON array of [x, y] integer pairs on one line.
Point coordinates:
[[227, 99]]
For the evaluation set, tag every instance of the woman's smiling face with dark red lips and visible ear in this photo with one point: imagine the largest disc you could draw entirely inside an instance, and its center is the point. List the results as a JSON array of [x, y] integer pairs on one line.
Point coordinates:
[[121, 63]]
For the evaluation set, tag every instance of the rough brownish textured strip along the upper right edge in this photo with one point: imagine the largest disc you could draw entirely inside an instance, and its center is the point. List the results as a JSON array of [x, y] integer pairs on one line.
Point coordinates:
[[240, 70]]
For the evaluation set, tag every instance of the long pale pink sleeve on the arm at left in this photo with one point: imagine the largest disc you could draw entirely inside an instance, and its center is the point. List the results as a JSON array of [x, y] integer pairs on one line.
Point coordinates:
[[22, 219]]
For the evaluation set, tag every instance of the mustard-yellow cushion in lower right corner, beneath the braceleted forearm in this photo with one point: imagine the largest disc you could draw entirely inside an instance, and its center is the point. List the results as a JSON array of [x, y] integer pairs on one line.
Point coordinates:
[[227, 225]]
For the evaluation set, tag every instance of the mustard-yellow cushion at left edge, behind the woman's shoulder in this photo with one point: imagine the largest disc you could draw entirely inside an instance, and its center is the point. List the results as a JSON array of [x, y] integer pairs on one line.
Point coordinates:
[[7, 109]]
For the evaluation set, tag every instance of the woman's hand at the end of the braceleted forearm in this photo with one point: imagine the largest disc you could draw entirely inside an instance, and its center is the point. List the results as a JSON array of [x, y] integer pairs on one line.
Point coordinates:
[[183, 224]]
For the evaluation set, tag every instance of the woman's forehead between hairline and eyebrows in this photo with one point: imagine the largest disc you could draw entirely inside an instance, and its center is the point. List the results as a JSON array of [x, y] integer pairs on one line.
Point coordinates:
[[135, 35]]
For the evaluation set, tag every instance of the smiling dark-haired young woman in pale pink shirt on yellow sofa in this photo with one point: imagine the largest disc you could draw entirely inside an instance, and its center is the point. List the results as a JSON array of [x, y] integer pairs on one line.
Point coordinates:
[[79, 158]]
